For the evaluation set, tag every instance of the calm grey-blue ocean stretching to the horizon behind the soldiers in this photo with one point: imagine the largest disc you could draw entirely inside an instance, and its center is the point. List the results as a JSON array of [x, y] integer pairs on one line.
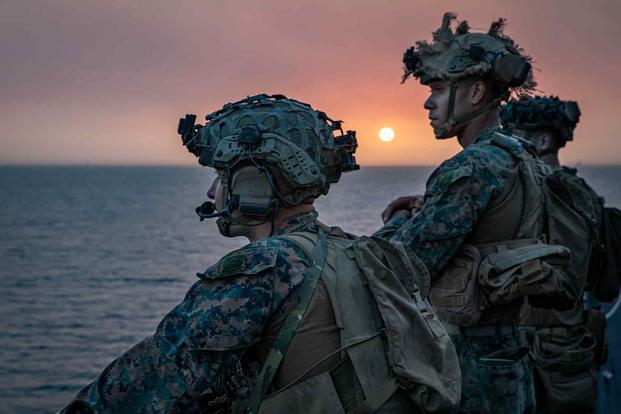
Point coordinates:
[[91, 258]]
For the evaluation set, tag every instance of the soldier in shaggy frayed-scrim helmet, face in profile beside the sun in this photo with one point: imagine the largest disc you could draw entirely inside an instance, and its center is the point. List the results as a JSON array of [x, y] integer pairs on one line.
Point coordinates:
[[479, 228]]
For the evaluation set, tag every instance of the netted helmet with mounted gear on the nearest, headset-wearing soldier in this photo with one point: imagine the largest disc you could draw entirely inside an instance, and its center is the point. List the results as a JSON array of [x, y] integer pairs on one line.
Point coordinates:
[[297, 140]]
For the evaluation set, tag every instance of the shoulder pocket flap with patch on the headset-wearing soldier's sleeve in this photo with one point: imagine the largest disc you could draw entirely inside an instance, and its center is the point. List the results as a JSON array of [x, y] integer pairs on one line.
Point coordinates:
[[247, 260]]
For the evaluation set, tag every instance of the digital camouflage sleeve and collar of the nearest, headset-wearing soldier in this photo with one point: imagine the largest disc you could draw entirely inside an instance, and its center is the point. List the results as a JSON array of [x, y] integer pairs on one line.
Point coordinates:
[[201, 344]]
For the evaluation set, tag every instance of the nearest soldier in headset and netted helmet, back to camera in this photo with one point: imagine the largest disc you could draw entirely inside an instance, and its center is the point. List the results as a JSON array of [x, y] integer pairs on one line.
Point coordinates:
[[292, 321]]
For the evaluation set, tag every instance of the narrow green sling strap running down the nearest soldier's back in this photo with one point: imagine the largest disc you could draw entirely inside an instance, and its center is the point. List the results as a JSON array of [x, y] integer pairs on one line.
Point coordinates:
[[292, 322]]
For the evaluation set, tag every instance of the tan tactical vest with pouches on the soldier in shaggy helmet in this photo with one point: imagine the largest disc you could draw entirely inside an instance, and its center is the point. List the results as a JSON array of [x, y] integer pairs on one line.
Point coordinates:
[[507, 257]]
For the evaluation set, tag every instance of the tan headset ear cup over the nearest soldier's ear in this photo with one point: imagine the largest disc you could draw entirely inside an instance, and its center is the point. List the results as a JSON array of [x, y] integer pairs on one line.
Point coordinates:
[[256, 196]]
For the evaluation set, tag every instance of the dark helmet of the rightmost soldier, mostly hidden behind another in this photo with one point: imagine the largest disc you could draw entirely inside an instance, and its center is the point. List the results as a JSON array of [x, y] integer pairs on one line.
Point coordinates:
[[542, 112]]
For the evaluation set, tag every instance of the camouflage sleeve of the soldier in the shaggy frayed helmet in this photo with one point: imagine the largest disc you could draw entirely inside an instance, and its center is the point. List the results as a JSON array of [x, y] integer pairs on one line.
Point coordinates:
[[457, 194]]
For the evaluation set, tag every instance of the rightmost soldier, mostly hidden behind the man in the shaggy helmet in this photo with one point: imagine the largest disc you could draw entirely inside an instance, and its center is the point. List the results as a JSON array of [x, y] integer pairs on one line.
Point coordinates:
[[568, 346]]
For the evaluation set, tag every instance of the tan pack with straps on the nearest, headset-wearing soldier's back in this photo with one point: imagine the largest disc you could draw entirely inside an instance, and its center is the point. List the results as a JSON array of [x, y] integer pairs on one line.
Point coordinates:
[[389, 331]]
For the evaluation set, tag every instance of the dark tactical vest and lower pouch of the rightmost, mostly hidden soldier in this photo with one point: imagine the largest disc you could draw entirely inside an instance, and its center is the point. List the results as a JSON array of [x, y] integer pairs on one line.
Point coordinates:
[[566, 346]]
